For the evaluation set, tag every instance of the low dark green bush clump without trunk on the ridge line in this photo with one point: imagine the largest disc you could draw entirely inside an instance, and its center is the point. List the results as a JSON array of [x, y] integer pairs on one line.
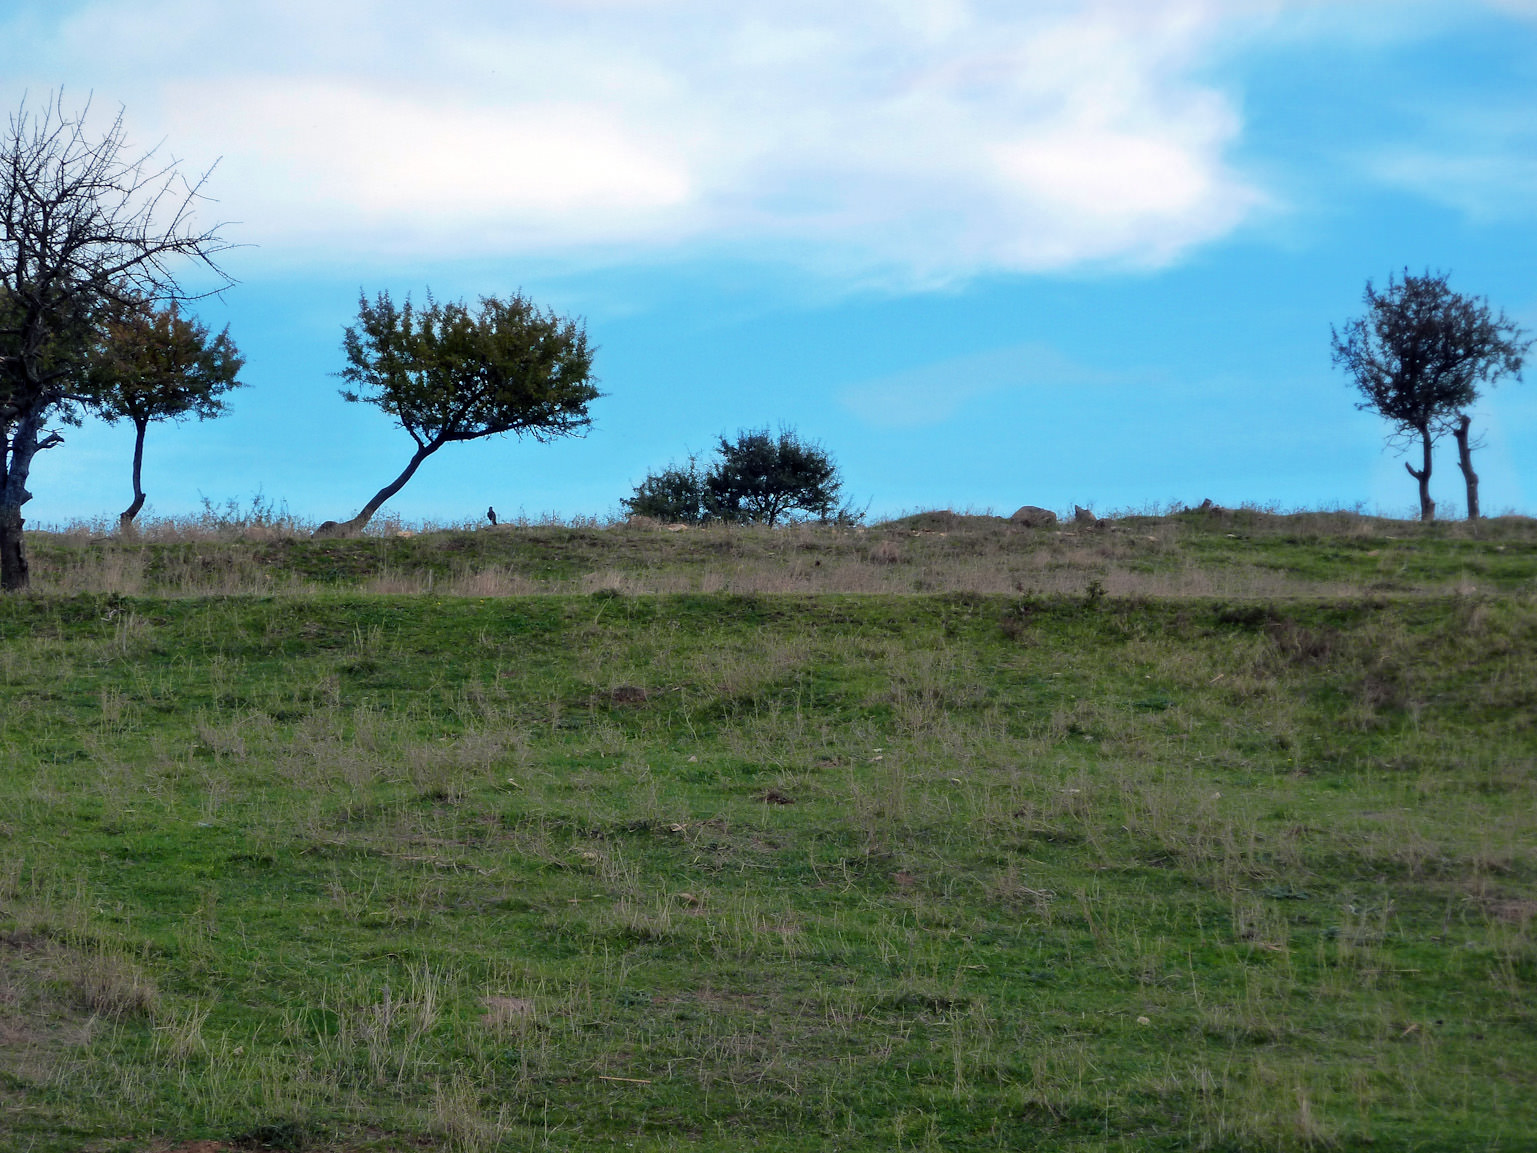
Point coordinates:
[[759, 479]]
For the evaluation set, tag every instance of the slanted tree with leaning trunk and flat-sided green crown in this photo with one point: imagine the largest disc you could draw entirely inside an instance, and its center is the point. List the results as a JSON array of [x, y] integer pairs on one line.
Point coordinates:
[[451, 374]]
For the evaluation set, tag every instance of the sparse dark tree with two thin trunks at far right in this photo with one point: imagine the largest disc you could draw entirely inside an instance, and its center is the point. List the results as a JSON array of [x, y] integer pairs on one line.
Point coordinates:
[[1418, 359]]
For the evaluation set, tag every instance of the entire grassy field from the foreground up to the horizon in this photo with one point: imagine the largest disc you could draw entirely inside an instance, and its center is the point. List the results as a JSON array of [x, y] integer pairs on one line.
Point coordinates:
[[1186, 832]]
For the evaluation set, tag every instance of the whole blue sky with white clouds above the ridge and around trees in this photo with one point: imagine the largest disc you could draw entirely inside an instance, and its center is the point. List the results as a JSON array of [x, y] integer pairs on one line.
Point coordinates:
[[986, 253]]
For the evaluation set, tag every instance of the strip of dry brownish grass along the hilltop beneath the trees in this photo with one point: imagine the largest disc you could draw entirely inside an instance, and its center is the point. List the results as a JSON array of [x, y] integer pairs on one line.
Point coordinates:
[[1232, 554]]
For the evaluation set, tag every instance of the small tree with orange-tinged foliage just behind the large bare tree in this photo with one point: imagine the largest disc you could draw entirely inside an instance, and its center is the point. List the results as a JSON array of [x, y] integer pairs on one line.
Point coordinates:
[[153, 365]]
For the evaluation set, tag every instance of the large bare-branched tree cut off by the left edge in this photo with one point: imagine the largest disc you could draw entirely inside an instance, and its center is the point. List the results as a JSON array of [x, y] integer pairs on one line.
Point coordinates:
[[87, 225]]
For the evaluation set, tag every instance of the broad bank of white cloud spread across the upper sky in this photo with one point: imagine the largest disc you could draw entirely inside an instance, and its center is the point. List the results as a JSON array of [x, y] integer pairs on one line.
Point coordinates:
[[918, 139]]
